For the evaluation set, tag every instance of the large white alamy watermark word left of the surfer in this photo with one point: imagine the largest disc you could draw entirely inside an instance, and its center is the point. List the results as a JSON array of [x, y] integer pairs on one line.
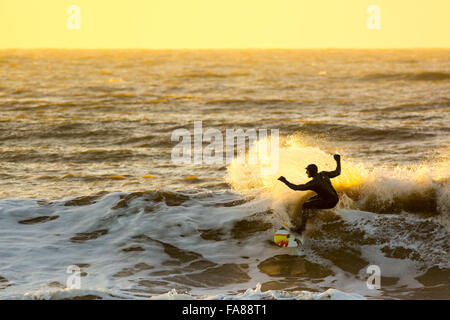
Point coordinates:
[[263, 150]]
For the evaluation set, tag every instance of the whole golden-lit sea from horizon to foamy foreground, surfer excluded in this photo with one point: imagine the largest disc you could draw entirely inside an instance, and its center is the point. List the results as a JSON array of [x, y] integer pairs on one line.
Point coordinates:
[[87, 178]]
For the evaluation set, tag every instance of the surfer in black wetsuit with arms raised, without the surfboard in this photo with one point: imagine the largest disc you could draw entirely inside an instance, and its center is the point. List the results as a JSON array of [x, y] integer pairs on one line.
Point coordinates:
[[326, 197]]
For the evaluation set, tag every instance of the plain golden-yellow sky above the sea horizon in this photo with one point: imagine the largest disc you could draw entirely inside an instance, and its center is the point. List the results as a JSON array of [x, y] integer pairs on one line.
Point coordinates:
[[224, 24]]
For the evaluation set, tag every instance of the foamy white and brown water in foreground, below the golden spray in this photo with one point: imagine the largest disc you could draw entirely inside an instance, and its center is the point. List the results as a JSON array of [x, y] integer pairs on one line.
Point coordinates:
[[198, 244]]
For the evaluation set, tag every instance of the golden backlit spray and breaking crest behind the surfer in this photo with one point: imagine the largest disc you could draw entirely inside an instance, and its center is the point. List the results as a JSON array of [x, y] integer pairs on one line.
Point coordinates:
[[422, 188]]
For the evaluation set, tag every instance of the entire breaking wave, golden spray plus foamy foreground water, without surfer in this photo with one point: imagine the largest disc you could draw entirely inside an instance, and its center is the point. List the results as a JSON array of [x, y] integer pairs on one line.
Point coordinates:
[[203, 244]]
